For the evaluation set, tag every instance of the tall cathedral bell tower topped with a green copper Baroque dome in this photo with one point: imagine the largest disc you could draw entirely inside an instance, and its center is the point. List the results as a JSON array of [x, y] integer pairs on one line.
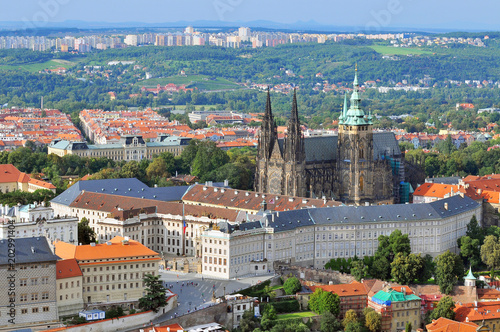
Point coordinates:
[[355, 151]]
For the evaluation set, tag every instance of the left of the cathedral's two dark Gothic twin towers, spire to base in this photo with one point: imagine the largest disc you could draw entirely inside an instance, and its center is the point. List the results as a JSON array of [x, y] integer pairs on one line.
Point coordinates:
[[268, 137]]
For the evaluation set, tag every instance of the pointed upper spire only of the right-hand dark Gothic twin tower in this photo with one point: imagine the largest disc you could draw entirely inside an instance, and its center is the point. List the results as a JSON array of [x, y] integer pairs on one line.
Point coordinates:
[[294, 143]]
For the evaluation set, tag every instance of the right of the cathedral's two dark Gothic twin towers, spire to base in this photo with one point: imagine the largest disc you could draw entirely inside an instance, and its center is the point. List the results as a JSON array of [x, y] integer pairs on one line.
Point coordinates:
[[294, 182]]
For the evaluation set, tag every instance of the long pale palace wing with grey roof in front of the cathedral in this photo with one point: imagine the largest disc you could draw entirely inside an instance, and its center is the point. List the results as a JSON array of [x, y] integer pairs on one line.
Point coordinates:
[[253, 251]]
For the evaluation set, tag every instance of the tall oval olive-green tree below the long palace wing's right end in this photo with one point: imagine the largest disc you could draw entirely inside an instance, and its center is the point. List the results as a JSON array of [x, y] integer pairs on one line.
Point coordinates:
[[448, 267]]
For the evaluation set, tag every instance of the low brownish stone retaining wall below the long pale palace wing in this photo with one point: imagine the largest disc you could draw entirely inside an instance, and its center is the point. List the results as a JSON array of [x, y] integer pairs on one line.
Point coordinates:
[[313, 275]]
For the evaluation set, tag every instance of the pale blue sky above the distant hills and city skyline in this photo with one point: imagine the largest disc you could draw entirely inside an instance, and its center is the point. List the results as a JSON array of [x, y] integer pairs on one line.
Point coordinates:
[[367, 14]]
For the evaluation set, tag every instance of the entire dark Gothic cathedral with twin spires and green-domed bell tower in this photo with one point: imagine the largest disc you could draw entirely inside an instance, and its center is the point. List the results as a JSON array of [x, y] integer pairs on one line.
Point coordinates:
[[357, 166]]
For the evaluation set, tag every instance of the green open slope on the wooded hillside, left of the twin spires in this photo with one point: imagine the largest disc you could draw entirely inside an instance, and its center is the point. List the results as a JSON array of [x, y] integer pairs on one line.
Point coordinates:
[[202, 82]]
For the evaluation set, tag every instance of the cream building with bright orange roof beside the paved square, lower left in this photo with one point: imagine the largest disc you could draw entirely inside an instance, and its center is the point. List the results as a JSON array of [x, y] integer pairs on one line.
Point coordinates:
[[113, 271]]
